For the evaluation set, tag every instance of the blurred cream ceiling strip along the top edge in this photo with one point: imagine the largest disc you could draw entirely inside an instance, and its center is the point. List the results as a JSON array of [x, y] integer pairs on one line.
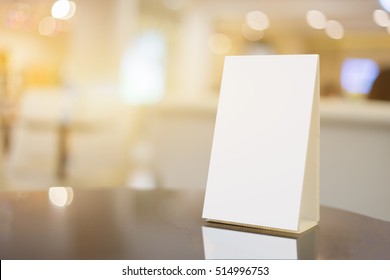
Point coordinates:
[[355, 15]]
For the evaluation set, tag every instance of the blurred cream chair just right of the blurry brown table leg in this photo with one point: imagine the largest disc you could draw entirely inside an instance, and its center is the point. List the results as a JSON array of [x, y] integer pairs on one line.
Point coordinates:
[[98, 143]]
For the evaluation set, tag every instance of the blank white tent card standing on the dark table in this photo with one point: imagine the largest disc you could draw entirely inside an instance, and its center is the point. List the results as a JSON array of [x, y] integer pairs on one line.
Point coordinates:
[[264, 165]]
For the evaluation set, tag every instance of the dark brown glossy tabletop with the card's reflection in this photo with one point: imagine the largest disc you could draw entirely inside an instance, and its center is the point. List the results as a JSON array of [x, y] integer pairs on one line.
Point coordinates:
[[166, 224]]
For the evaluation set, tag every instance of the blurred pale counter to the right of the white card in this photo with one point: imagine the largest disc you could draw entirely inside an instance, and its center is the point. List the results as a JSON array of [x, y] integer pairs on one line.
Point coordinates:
[[355, 157]]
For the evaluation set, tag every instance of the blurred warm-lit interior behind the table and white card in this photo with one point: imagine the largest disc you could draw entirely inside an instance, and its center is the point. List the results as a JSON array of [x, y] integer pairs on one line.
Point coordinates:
[[123, 93]]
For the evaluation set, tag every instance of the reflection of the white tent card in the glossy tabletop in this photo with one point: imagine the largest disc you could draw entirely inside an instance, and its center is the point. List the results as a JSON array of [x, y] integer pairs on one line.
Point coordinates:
[[235, 242]]
